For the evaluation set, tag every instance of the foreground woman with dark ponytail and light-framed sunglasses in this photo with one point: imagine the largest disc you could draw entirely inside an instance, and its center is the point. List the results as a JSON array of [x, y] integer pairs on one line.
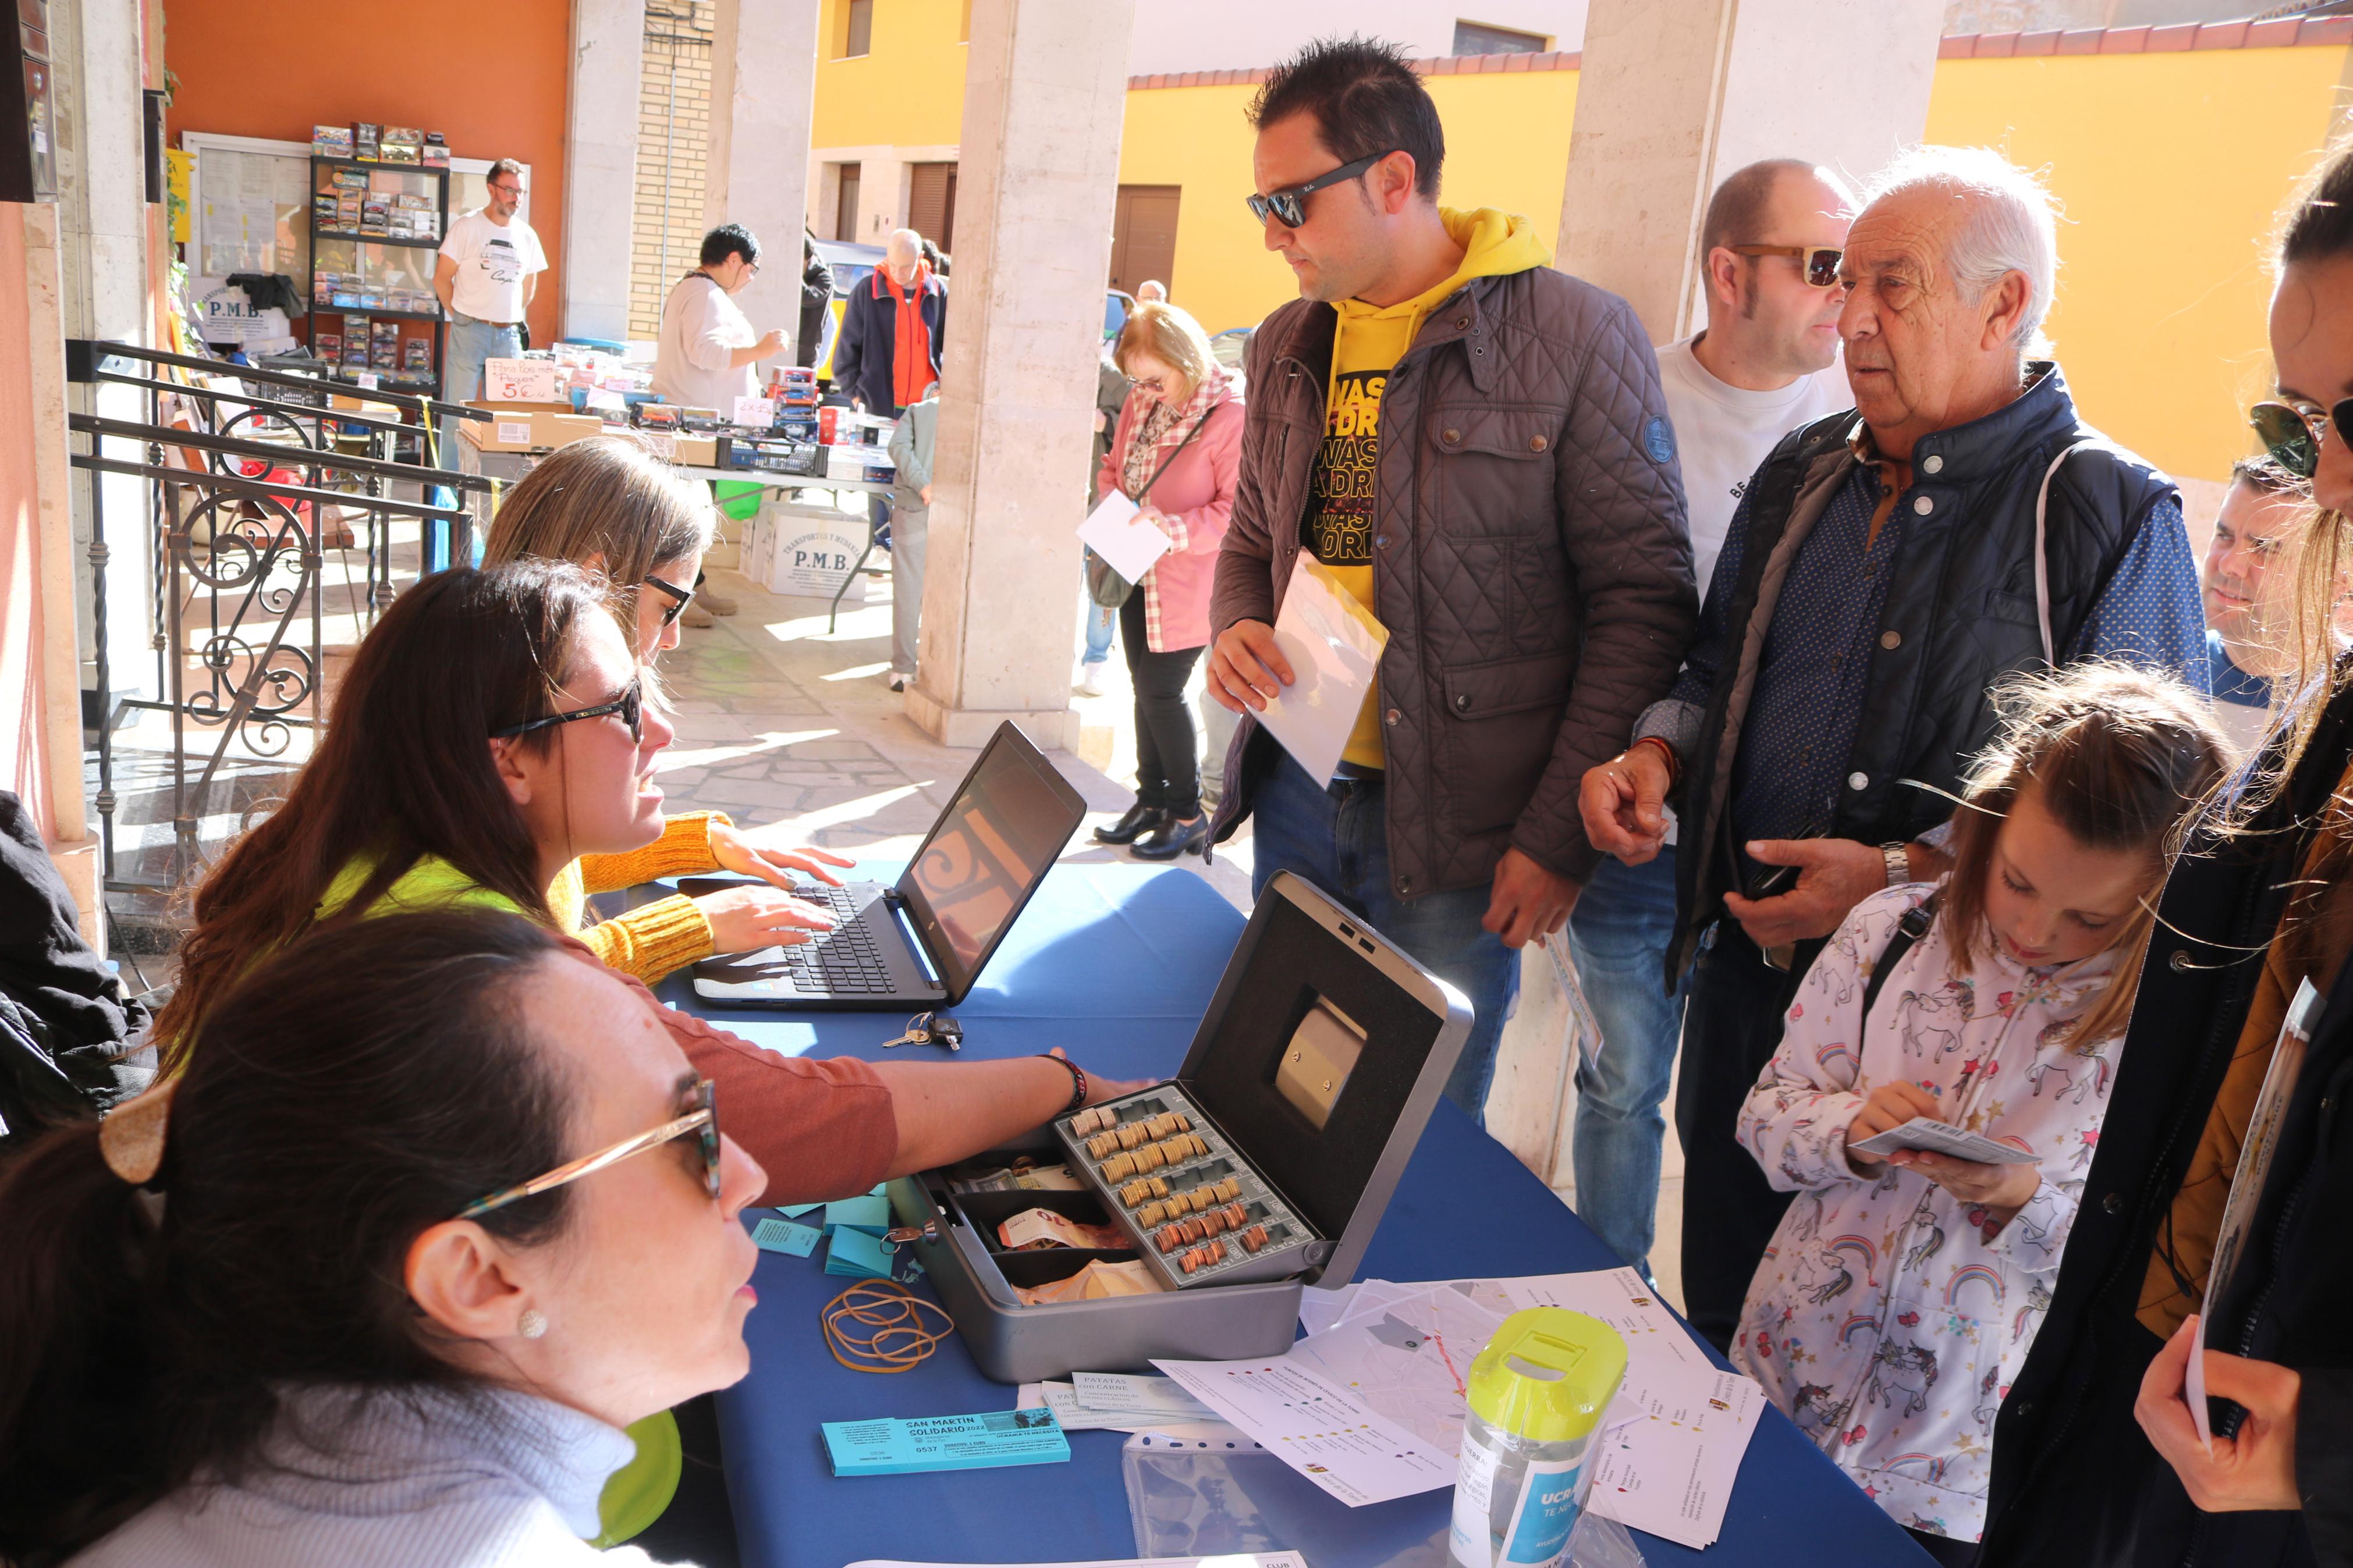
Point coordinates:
[[434, 1214]]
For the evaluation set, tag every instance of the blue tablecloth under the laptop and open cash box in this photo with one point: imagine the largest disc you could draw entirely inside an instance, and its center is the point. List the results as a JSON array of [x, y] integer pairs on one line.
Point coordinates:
[[1116, 965]]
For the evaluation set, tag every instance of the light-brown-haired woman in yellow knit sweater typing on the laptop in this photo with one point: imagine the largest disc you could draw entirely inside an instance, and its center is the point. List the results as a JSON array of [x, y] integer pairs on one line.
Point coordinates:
[[615, 509]]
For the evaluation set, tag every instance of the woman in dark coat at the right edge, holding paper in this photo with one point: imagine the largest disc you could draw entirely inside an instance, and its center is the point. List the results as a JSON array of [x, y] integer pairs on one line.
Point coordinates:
[[2100, 1459]]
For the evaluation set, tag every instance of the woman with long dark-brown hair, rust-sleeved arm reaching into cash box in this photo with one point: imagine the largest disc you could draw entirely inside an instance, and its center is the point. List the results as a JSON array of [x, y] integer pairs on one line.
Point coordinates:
[[493, 732]]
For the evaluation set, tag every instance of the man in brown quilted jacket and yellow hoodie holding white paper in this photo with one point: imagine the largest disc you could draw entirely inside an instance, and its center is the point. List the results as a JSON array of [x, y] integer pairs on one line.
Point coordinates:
[[1495, 483]]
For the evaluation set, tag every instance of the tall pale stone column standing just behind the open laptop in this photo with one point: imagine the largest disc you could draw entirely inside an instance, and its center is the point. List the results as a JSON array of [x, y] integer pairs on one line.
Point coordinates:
[[1046, 95]]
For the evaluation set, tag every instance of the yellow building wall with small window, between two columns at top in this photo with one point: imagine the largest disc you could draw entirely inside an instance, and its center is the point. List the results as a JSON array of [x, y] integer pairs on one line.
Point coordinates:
[[907, 91]]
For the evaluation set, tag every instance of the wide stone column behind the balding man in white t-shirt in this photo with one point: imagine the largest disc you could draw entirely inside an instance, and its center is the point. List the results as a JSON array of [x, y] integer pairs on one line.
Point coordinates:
[[1677, 98]]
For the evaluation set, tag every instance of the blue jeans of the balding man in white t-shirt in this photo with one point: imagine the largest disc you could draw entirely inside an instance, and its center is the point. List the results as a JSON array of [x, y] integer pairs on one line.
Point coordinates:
[[1620, 934]]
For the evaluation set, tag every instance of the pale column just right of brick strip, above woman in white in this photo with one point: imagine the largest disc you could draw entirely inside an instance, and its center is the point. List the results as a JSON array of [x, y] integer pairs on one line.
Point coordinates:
[[764, 81]]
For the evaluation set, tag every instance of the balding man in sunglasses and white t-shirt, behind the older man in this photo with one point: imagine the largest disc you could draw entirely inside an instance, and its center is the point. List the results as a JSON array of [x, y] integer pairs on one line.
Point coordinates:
[[1766, 366]]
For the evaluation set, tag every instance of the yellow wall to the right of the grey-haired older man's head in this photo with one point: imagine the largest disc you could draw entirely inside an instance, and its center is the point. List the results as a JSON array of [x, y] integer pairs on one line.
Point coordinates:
[[2171, 170]]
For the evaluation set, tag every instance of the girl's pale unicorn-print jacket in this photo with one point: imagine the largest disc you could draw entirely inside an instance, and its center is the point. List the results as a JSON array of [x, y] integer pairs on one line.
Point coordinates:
[[1888, 1315]]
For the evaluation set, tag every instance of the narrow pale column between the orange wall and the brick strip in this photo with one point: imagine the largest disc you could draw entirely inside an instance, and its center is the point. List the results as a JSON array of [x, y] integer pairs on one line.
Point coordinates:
[[601, 166]]
